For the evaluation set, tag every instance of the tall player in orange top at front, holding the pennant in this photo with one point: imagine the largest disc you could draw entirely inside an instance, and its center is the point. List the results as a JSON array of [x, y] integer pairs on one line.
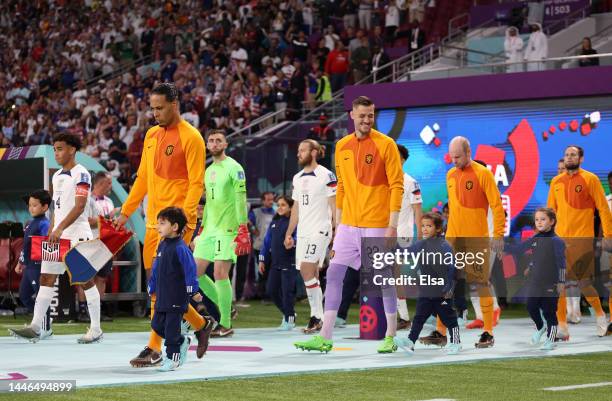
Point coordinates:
[[171, 173]]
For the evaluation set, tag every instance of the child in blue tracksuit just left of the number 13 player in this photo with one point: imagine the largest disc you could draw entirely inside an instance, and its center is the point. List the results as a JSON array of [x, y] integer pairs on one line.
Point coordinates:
[[282, 275]]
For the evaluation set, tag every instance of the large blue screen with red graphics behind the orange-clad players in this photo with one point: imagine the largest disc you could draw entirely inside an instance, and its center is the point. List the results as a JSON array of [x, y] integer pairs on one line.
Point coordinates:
[[521, 142]]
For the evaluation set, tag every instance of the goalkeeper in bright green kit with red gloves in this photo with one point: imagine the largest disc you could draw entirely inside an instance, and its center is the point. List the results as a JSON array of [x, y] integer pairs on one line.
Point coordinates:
[[225, 234]]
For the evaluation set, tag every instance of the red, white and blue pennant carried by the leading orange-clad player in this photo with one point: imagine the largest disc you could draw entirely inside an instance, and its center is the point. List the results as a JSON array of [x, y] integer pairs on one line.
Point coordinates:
[[85, 259]]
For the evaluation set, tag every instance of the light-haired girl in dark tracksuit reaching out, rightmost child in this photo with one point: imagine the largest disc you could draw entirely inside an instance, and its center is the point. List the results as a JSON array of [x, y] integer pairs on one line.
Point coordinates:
[[545, 275]]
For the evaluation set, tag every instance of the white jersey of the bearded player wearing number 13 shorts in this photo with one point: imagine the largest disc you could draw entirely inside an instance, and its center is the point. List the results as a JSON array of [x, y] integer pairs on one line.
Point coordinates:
[[311, 191]]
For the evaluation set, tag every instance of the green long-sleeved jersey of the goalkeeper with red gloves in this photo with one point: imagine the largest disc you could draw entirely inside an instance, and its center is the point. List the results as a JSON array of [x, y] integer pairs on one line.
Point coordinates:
[[225, 206]]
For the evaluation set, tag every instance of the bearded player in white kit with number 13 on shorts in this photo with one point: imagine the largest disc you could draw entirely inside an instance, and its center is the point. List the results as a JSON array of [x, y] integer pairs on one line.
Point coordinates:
[[313, 212]]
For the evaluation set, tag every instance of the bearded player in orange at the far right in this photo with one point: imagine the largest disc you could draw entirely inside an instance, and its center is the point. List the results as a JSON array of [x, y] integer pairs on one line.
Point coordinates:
[[574, 195]]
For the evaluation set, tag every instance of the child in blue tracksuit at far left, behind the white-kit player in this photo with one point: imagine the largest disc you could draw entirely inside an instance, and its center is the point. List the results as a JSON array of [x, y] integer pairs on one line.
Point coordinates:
[[38, 204]]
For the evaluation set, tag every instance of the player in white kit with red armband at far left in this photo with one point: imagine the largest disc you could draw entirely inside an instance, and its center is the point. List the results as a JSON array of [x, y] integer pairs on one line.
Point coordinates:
[[71, 186]]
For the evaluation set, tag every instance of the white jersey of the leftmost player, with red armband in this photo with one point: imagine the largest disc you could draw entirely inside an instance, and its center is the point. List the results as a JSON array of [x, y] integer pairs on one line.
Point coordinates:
[[66, 186]]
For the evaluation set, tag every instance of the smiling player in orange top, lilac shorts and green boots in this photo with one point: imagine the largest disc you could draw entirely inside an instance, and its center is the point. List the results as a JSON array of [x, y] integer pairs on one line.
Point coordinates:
[[368, 201]]
